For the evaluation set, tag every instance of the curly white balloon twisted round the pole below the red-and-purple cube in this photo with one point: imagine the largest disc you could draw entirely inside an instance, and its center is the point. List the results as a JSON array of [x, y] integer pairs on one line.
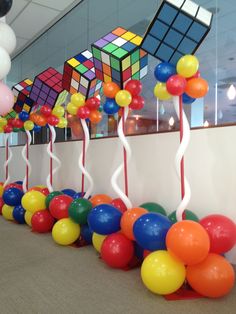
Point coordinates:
[[52, 157]]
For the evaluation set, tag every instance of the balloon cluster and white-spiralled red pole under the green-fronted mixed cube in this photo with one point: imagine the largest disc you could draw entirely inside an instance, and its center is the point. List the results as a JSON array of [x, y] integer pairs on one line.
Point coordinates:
[[117, 99]]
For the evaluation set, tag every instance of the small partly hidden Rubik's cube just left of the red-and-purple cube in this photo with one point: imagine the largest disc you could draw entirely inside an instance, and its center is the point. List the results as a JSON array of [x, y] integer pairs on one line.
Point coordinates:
[[21, 92]]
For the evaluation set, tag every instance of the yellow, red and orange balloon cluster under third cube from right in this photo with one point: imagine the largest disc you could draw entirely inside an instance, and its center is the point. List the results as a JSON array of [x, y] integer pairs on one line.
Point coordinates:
[[85, 109]]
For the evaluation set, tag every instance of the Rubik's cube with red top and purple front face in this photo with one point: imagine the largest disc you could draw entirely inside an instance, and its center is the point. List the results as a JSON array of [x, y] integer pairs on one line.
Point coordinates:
[[47, 89]]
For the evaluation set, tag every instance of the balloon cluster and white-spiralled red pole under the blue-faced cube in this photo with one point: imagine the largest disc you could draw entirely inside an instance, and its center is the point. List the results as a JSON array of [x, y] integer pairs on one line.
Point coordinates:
[[184, 84]]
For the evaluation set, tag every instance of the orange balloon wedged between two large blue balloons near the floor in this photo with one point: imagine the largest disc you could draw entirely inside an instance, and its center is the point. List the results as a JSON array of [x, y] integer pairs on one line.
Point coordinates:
[[128, 219]]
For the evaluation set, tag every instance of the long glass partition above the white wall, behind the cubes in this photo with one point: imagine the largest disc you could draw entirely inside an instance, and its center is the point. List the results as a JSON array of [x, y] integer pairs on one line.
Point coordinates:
[[92, 19]]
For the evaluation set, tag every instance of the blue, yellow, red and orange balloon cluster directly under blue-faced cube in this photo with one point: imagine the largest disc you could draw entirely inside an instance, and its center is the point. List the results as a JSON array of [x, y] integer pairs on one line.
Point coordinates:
[[183, 80]]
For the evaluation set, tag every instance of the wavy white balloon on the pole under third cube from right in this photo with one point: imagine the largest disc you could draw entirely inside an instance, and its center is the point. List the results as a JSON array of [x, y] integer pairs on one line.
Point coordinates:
[[82, 168]]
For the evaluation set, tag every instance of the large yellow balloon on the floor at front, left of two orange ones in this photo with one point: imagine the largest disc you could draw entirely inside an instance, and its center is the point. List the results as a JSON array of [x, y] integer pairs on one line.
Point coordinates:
[[162, 273]]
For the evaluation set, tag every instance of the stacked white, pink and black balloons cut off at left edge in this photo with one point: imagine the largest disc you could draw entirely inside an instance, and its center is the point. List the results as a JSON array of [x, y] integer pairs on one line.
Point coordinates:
[[7, 46]]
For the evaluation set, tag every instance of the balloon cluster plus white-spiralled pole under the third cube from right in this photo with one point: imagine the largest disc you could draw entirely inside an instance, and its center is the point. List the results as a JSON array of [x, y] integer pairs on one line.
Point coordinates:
[[85, 110]]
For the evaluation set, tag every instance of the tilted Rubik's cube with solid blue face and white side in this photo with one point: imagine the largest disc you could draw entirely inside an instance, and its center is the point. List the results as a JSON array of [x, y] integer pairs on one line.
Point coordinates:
[[178, 28]]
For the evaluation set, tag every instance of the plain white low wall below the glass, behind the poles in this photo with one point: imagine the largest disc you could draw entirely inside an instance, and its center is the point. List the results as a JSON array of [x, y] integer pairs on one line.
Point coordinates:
[[210, 168]]
